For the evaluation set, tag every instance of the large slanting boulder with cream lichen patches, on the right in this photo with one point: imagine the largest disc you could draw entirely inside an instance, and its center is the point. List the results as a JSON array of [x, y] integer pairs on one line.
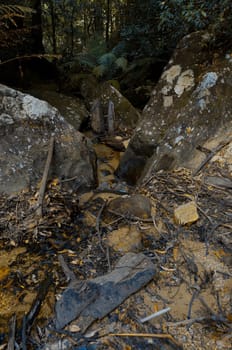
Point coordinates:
[[190, 105]]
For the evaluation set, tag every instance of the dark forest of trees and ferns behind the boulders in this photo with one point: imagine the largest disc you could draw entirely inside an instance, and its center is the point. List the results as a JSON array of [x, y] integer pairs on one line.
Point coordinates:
[[108, 34]]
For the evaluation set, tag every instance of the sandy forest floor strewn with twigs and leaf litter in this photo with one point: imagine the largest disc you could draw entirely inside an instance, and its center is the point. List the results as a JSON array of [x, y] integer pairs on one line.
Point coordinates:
[[192, 258]]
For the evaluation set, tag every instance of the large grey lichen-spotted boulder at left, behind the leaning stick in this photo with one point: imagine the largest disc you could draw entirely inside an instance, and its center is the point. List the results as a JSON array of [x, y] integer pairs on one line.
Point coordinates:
[[26, 125]]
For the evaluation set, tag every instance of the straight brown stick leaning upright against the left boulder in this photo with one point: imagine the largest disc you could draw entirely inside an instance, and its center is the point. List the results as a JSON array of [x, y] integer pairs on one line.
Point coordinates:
[[39, 210]]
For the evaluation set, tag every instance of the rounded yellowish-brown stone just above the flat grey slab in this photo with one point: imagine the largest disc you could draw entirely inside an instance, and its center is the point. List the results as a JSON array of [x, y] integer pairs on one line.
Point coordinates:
[[125, 239]]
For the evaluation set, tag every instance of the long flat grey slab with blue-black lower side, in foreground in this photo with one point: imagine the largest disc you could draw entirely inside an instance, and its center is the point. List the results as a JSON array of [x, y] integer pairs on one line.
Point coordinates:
[[90, 300]]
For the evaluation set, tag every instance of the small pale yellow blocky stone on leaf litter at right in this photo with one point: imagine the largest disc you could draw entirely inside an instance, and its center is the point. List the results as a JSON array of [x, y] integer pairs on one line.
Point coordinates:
[[186, 213]]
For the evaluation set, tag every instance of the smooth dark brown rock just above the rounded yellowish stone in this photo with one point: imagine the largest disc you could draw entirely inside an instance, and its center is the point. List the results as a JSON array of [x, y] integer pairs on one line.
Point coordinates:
[[136, 205]]
